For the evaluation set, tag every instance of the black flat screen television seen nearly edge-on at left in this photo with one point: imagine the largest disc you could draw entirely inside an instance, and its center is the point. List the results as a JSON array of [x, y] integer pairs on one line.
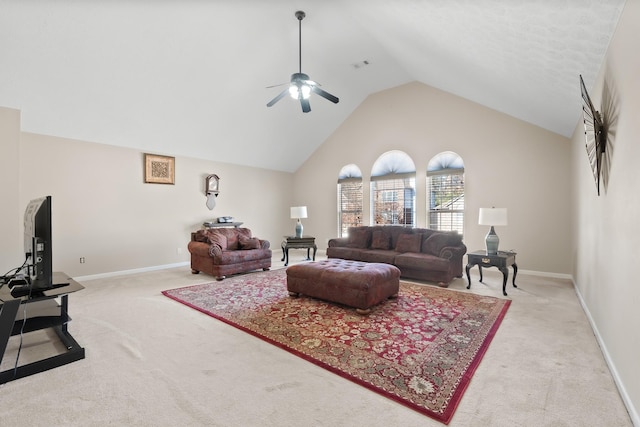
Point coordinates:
[[37, 244]]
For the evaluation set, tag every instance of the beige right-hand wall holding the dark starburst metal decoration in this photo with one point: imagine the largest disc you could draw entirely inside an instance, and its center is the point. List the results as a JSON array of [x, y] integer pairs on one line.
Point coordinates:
[[607, 228]]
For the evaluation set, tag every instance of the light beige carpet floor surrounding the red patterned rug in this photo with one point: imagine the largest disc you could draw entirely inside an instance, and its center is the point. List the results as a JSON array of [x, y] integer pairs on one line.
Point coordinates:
[[152, 362]]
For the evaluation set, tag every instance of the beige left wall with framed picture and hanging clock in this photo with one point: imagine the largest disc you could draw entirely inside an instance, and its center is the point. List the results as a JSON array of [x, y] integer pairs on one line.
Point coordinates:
[[104, 212]]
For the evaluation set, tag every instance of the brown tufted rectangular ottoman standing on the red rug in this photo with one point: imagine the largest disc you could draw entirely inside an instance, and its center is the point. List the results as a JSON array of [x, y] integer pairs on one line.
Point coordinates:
[[352, 283]]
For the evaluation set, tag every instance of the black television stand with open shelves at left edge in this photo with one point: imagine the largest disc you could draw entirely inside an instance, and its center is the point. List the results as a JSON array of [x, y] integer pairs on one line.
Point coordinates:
[[43, 312]]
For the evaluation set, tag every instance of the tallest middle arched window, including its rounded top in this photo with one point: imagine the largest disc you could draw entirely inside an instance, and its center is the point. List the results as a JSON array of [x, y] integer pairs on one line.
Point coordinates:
[[393, 189]]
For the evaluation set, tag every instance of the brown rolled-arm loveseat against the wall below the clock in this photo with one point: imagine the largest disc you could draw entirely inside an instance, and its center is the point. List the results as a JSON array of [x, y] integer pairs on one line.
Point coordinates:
[[224, 251]]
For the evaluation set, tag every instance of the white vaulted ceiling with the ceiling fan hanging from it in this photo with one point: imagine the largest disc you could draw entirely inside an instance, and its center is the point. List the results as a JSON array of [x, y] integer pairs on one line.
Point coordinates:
[[189, 77]]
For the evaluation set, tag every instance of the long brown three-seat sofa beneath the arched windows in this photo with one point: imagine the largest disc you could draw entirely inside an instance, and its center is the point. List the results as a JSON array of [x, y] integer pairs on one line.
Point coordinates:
[[419, 253]]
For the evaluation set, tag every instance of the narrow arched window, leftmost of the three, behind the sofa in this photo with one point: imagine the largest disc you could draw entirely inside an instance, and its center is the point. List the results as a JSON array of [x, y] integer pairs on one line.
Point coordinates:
[[349, 198]]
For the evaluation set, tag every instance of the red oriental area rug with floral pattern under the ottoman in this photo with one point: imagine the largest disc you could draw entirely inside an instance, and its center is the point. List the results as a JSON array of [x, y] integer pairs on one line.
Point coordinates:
[[419, 349]]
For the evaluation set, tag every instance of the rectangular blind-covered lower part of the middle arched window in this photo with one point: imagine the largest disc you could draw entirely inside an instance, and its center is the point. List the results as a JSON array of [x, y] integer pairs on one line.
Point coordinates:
[[393, 201]]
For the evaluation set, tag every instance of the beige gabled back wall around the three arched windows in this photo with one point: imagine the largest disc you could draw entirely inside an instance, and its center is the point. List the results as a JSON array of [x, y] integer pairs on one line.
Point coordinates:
[[508, 163]]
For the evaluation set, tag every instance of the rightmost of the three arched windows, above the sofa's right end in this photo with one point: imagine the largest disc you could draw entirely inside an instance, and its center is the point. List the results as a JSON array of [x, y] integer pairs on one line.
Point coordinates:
[[445, 192]]
